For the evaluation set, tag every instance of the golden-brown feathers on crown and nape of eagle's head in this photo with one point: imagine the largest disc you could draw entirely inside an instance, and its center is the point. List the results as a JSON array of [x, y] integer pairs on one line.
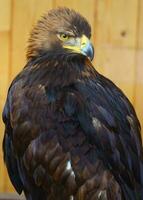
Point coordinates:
[[59, 20]]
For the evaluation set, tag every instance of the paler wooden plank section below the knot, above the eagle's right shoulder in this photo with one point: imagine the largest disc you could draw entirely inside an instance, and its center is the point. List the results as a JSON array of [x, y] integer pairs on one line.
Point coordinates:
[[118, 66]]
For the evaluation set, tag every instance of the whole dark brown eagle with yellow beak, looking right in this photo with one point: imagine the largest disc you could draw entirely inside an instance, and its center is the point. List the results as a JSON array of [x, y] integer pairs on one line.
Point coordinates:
[[70, 133]]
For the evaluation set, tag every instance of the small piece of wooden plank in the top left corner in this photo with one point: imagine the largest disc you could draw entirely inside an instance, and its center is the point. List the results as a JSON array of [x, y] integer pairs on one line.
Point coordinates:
[[5, 14]]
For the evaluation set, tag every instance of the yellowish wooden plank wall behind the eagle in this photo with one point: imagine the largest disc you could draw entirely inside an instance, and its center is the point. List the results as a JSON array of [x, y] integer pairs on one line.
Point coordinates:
[[117, 35]]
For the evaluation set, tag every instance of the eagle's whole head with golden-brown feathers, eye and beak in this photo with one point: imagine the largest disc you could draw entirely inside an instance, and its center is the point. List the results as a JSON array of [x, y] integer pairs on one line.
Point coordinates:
[[61, 32]]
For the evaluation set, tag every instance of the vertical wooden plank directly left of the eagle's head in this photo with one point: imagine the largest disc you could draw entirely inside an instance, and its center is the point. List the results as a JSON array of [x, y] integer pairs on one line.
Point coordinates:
[[25, 13]]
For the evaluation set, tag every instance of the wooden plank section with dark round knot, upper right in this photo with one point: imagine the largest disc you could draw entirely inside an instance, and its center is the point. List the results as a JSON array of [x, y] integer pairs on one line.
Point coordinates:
[[116, 22]]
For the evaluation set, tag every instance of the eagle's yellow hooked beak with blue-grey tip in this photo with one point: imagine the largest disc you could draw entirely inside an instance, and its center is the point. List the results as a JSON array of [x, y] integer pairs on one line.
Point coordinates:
[[82, 46]]
